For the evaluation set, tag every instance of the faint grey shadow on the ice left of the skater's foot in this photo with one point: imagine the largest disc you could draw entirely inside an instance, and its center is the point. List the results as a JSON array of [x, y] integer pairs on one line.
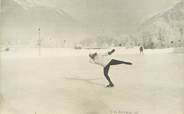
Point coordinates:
[[89, 81]]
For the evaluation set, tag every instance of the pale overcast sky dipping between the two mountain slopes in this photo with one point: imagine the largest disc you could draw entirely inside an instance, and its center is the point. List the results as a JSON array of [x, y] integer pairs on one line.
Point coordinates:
[[111, 15]]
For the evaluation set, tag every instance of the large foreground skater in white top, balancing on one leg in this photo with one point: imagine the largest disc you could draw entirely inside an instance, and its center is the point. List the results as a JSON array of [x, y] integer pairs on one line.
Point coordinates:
[[104, 60]]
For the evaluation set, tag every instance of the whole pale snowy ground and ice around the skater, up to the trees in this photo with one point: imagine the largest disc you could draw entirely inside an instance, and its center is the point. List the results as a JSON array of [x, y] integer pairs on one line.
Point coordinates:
[[62, 81]]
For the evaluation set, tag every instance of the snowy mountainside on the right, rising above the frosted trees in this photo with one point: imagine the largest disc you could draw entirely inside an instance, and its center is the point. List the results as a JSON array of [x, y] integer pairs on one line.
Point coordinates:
[[165, 28]]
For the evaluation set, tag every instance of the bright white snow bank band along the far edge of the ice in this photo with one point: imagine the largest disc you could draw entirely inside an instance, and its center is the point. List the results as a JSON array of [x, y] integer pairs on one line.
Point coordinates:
[[57, 52]]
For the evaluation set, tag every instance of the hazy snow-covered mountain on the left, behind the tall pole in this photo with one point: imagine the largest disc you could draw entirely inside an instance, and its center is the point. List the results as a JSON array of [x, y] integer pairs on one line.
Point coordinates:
[[21, 20]]
